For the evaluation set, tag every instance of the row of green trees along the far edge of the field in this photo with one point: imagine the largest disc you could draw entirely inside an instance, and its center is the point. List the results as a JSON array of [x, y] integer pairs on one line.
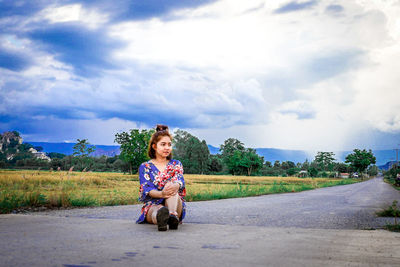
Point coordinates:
[[233, 158]]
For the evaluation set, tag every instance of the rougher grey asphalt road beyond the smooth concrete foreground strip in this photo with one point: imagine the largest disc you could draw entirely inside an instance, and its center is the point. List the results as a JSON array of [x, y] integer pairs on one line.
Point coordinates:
[[340, 207]]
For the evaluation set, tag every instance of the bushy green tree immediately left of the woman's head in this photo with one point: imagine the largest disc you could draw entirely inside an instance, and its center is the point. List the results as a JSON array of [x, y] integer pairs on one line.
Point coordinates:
[[134, 145]]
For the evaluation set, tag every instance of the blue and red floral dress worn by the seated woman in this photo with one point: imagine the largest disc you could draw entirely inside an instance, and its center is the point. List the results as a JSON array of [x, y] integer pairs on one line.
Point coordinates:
[[151, 178]]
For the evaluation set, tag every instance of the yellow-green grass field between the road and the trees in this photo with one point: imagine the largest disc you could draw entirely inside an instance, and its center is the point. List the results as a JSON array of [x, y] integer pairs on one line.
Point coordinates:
[[29, 189]]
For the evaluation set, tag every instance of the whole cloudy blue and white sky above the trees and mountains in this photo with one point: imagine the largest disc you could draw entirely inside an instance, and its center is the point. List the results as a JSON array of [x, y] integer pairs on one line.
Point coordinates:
[[308, 75]]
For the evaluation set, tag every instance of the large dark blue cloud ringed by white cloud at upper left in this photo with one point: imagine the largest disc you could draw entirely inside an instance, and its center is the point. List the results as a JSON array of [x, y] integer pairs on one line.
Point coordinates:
[[88, 51]]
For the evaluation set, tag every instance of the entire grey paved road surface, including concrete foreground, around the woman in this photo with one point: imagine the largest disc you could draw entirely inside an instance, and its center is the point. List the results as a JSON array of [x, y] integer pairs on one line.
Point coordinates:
[[312, 228]]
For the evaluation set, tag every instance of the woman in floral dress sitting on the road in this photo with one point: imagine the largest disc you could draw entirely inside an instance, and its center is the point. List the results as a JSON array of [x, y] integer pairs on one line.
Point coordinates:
[[162, 187]]
